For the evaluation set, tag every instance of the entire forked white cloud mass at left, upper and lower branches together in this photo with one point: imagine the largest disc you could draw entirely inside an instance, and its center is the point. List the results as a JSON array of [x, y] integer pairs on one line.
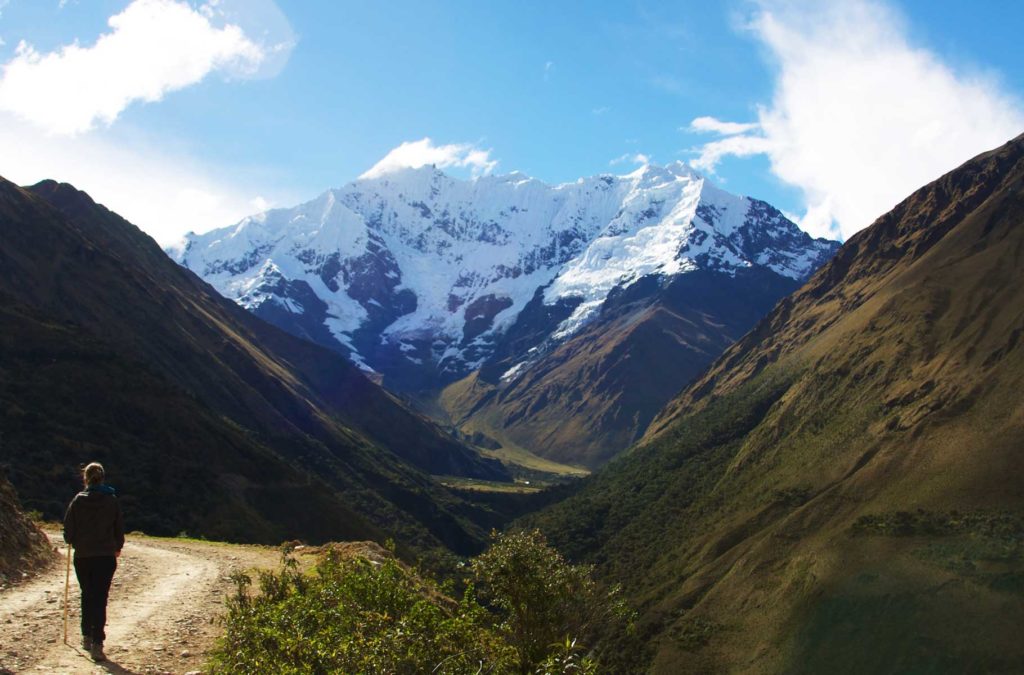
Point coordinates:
[[154, 47]]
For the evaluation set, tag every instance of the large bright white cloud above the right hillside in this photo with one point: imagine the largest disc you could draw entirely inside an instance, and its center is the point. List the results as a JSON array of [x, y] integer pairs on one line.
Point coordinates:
[[861, 117]]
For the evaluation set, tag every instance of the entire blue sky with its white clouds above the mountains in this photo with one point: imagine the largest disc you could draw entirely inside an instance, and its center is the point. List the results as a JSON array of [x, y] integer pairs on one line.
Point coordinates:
[[189, 115]]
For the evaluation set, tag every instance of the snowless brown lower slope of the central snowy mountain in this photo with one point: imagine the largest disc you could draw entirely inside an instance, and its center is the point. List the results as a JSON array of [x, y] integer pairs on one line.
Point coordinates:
[[592, 397]]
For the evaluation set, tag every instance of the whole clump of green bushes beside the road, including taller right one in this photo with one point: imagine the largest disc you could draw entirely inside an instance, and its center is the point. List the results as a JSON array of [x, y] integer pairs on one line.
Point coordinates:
[[358, 616]]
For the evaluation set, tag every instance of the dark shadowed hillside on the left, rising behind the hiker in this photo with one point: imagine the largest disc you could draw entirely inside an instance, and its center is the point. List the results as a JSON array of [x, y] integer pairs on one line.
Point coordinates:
[[209, 420]]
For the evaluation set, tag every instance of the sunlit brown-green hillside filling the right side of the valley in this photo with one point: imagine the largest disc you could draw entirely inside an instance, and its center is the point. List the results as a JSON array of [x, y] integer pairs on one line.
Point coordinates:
[[841, 491]]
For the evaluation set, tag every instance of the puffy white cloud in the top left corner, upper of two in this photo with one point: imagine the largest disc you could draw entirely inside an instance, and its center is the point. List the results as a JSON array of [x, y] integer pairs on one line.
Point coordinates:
[[153, 48]]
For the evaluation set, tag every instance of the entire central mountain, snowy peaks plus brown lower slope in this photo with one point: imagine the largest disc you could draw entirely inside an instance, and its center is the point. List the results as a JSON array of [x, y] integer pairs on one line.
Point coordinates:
[[518, 313]]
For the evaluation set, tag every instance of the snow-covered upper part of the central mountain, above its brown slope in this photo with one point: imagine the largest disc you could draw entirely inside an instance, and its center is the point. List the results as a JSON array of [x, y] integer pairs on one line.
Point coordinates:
[[415, 272]]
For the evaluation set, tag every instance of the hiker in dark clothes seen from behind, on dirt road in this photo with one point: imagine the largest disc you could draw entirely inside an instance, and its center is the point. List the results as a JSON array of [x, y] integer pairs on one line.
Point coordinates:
[[95, 528]]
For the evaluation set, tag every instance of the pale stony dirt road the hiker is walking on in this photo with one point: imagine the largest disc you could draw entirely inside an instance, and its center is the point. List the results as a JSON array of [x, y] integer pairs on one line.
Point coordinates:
[[161, 617]]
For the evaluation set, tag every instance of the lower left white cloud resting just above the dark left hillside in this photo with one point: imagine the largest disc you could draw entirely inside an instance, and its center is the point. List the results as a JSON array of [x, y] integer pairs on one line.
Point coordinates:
[[166, 195]]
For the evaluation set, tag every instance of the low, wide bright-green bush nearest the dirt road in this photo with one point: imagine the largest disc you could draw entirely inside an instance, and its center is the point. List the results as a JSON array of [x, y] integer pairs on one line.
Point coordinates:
[[355, 616]]
